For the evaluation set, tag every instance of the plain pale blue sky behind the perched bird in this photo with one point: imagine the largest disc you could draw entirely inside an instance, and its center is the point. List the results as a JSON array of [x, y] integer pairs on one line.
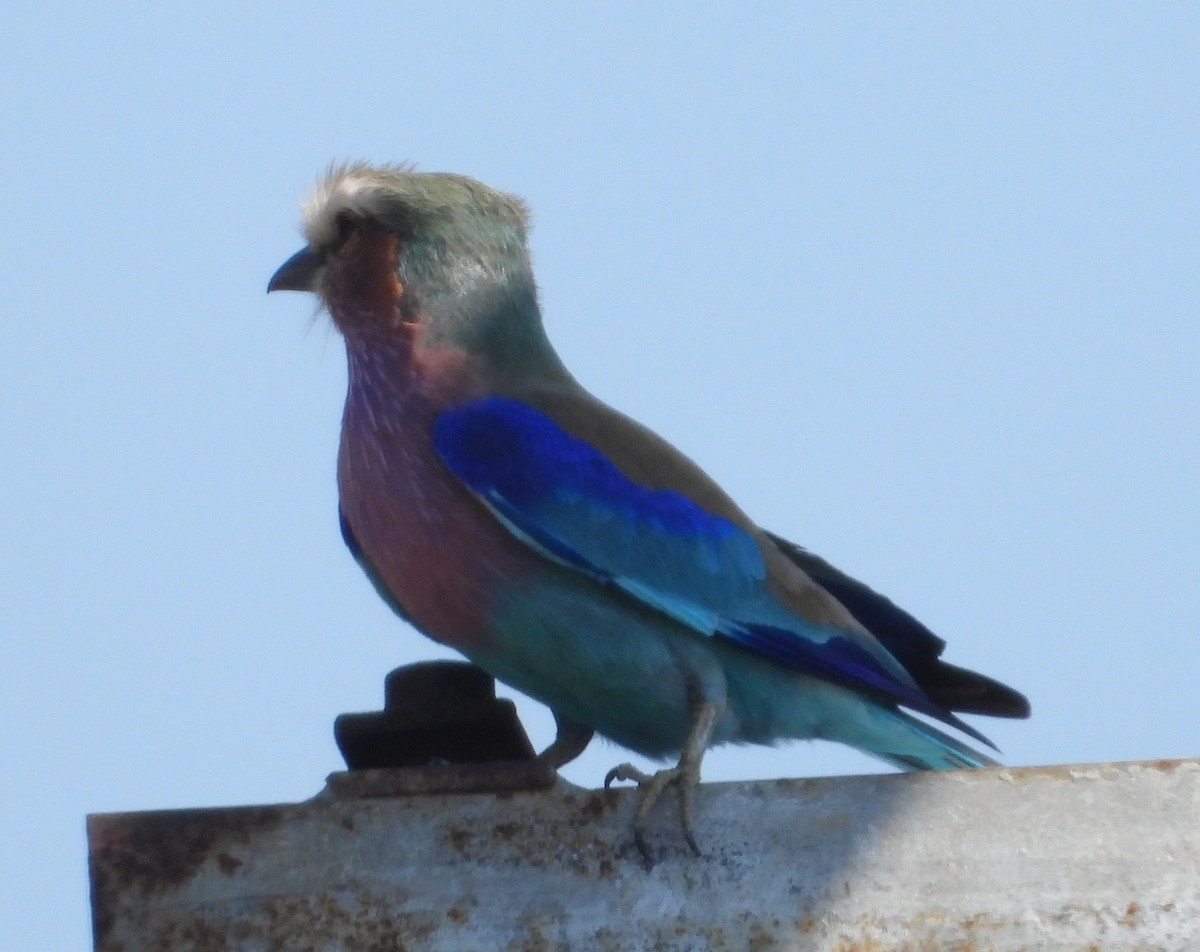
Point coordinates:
[[917, 284]]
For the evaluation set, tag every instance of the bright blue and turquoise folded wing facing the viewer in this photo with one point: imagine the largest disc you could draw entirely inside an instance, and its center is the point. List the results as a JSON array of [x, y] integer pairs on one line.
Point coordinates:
[[567, 500]]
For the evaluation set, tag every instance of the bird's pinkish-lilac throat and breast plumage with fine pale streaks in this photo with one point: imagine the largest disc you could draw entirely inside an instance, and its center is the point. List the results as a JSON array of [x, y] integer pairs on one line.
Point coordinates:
[[437, 550]]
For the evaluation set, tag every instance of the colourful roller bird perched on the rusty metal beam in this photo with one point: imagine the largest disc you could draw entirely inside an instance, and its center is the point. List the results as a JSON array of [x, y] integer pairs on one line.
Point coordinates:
[[577, 556]]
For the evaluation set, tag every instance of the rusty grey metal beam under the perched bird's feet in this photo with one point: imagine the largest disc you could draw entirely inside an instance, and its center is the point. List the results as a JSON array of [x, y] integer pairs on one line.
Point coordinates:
[[1084, 858]]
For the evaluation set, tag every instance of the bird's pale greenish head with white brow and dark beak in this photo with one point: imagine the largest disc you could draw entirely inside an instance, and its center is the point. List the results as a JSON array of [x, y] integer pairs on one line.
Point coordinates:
[[391, 250]]
